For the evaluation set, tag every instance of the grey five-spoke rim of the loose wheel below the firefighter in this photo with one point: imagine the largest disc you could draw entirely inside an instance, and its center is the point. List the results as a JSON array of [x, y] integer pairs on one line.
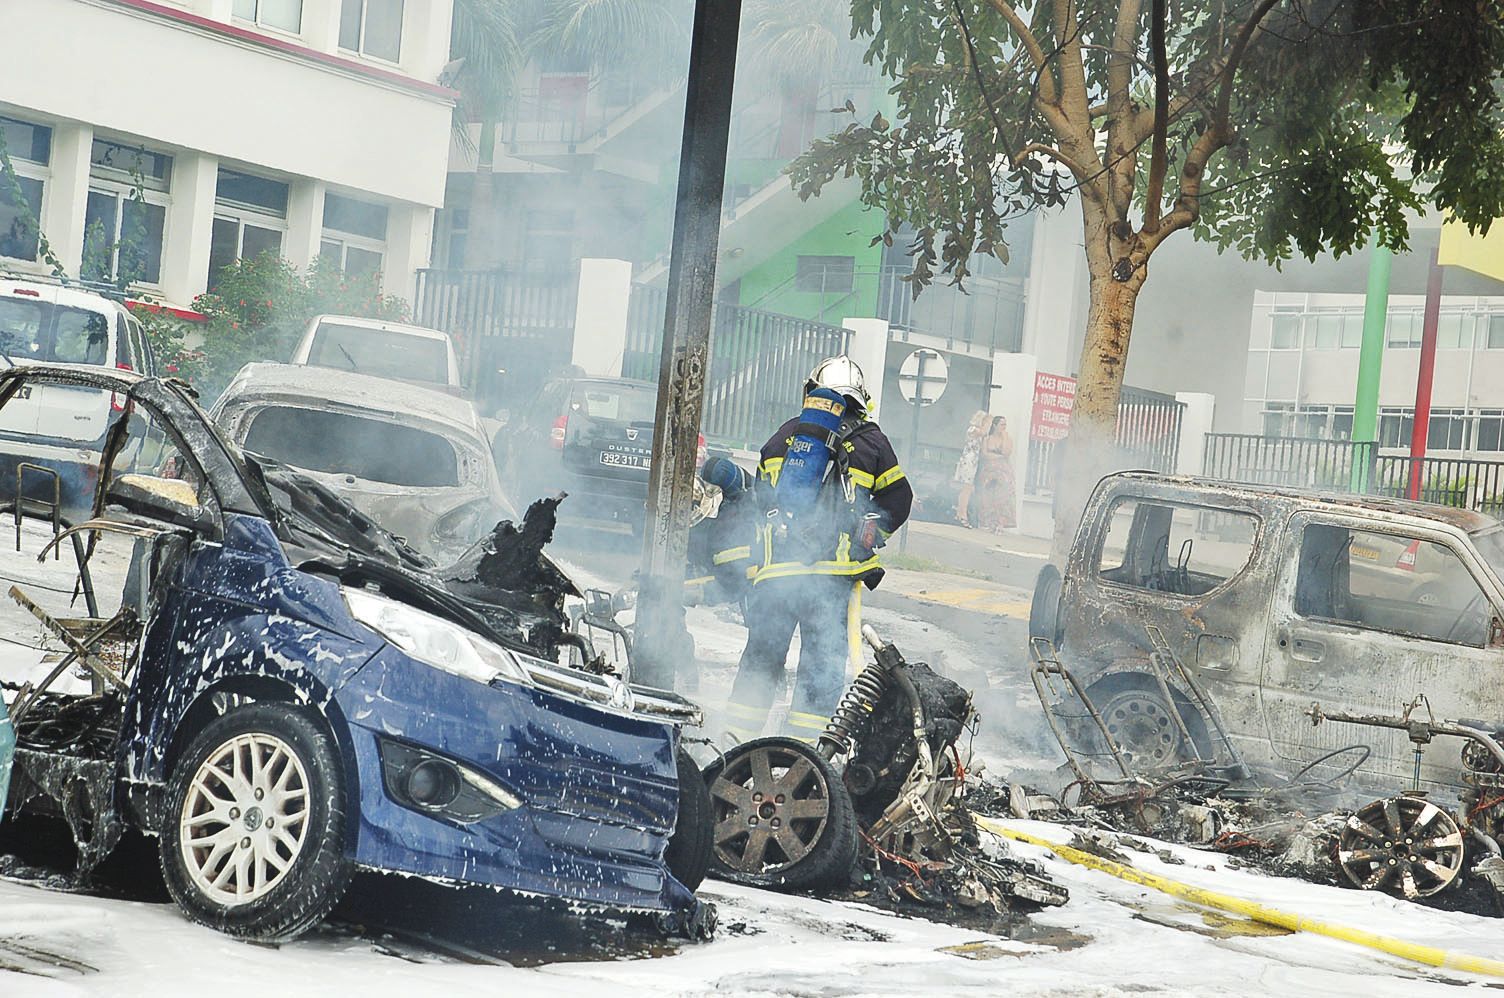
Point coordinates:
[[772, 805]]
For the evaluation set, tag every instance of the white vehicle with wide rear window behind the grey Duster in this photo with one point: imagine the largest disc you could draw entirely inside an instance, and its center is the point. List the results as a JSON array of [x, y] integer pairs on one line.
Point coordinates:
[[381, 349]]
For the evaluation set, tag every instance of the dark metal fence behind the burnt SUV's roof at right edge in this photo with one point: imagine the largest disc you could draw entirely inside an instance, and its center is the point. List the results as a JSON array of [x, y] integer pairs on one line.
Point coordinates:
[[1350, 467]]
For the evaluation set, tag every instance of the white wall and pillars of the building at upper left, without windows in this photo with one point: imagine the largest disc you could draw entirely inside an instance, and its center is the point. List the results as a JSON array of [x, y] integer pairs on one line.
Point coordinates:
[[293, 107]]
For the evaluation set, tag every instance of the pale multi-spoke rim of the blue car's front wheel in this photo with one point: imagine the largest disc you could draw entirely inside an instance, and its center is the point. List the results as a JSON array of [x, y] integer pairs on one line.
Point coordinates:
[[246, 820]]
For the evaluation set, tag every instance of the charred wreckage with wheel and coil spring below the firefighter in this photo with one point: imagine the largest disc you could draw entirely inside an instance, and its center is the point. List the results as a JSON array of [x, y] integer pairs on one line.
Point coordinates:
[[878, 809]]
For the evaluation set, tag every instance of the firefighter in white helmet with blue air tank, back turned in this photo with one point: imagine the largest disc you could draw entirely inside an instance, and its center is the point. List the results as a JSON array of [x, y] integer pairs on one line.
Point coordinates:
[[810, 567]]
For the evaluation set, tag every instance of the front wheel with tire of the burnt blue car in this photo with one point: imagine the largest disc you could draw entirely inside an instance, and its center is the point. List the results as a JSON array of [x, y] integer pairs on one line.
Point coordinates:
[[262, 794]]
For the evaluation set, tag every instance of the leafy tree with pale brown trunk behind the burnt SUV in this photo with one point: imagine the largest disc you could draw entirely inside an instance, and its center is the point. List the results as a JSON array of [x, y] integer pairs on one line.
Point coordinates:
[[1276, 127]]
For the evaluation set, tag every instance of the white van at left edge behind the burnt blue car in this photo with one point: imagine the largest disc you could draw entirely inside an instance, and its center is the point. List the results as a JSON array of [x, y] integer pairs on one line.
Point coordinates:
[[53, 426]]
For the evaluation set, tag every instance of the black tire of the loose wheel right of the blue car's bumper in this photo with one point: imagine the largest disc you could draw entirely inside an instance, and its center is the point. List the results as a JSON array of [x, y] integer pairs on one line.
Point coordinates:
[[826, 842]]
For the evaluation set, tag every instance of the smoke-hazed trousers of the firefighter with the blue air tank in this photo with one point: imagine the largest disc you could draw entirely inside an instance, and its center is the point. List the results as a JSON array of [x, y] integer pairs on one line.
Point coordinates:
[[826, 609]]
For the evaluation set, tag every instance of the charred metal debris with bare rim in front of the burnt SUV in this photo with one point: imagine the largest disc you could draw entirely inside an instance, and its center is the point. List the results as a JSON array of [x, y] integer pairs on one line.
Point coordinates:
[[1311, 824]]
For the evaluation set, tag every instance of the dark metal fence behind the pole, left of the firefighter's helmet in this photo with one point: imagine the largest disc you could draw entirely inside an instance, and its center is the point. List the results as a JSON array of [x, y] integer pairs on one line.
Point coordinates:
[[759, 363]]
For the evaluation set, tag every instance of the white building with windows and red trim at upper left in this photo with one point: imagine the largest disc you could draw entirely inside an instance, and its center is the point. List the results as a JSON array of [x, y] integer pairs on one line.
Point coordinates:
[[305, 127]]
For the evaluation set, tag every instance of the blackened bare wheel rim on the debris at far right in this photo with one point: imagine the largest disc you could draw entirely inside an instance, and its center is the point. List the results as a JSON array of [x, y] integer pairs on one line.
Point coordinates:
[[1401, 845]]
